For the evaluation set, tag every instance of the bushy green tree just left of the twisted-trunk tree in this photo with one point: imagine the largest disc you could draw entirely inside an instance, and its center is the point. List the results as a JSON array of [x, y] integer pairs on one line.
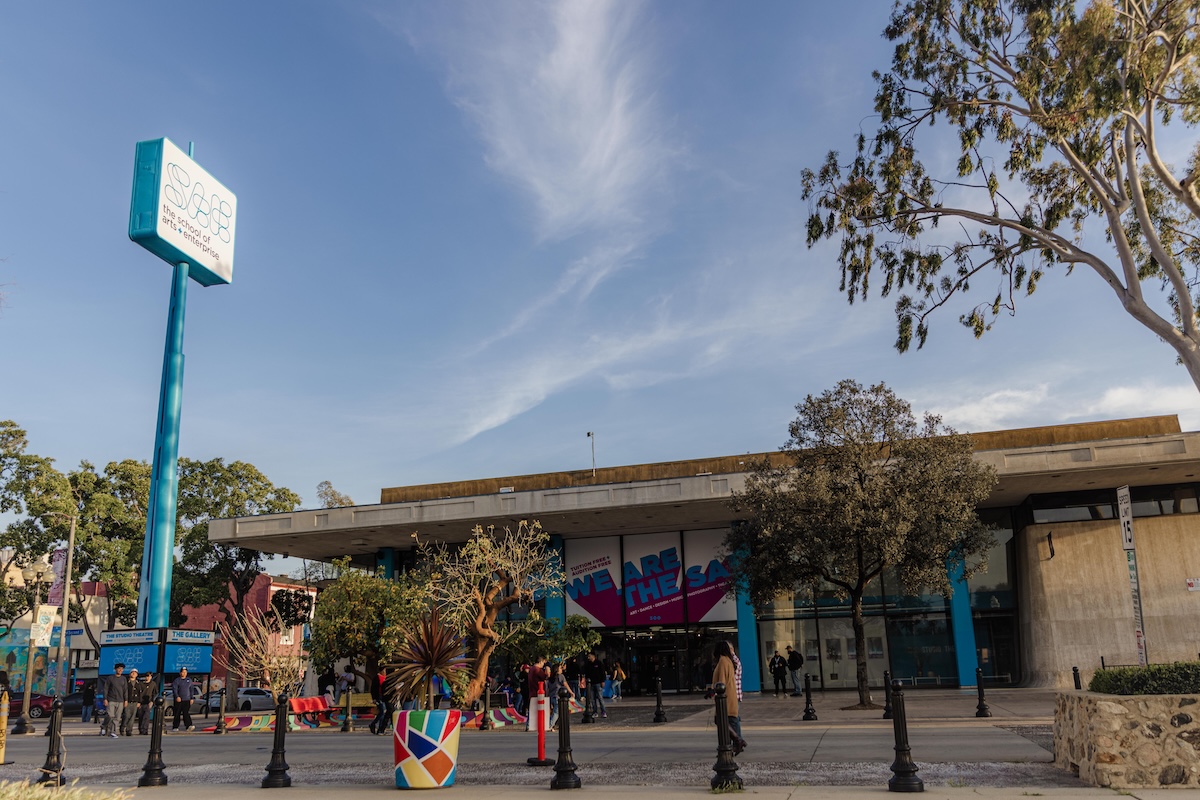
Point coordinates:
[[362, 618]]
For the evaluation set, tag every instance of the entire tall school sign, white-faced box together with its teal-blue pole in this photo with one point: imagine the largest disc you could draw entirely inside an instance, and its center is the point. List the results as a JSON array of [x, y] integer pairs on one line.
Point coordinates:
[[184, 216]]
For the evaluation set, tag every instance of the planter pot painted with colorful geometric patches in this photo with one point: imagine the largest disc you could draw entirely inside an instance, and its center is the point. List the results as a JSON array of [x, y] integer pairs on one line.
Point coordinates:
[[427, 748]]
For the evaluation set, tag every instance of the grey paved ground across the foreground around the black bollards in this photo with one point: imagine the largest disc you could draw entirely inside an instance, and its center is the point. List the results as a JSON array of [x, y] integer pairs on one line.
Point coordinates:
[[844, 755]]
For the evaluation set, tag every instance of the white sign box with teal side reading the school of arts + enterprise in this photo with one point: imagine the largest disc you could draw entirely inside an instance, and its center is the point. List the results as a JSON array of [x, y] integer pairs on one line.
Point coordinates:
[[182, 214]]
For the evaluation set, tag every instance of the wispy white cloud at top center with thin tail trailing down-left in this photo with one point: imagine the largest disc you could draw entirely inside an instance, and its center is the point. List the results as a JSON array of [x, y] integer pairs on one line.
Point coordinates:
[[563, 99]]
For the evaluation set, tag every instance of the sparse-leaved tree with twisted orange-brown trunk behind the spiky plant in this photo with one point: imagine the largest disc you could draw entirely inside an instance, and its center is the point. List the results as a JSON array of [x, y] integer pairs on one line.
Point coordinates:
[[494, 572]]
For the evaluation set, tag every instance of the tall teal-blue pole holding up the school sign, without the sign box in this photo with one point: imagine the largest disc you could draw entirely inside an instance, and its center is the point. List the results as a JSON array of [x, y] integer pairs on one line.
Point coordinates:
[[158, 555]]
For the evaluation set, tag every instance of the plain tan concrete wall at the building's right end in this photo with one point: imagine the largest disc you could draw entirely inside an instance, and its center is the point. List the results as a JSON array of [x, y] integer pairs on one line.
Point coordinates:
[[1077, 607]]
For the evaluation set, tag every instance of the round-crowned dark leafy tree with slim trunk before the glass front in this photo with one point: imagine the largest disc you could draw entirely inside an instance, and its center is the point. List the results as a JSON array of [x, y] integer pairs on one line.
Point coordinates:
[[862, 489]]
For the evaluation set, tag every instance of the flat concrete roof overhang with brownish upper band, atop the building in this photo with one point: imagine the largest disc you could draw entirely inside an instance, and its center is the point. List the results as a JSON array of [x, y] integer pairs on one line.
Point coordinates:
[[695, 495]]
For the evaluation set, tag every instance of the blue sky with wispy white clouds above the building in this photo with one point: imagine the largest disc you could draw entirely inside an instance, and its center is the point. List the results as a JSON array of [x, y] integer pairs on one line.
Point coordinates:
[[471, 233]]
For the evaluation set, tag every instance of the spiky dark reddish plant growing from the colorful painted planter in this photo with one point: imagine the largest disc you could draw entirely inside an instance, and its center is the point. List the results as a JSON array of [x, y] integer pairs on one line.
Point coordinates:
[[430, 651]]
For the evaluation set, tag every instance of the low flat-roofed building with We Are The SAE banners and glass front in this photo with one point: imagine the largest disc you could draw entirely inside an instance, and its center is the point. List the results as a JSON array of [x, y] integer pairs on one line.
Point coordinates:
[[641, 551]]
